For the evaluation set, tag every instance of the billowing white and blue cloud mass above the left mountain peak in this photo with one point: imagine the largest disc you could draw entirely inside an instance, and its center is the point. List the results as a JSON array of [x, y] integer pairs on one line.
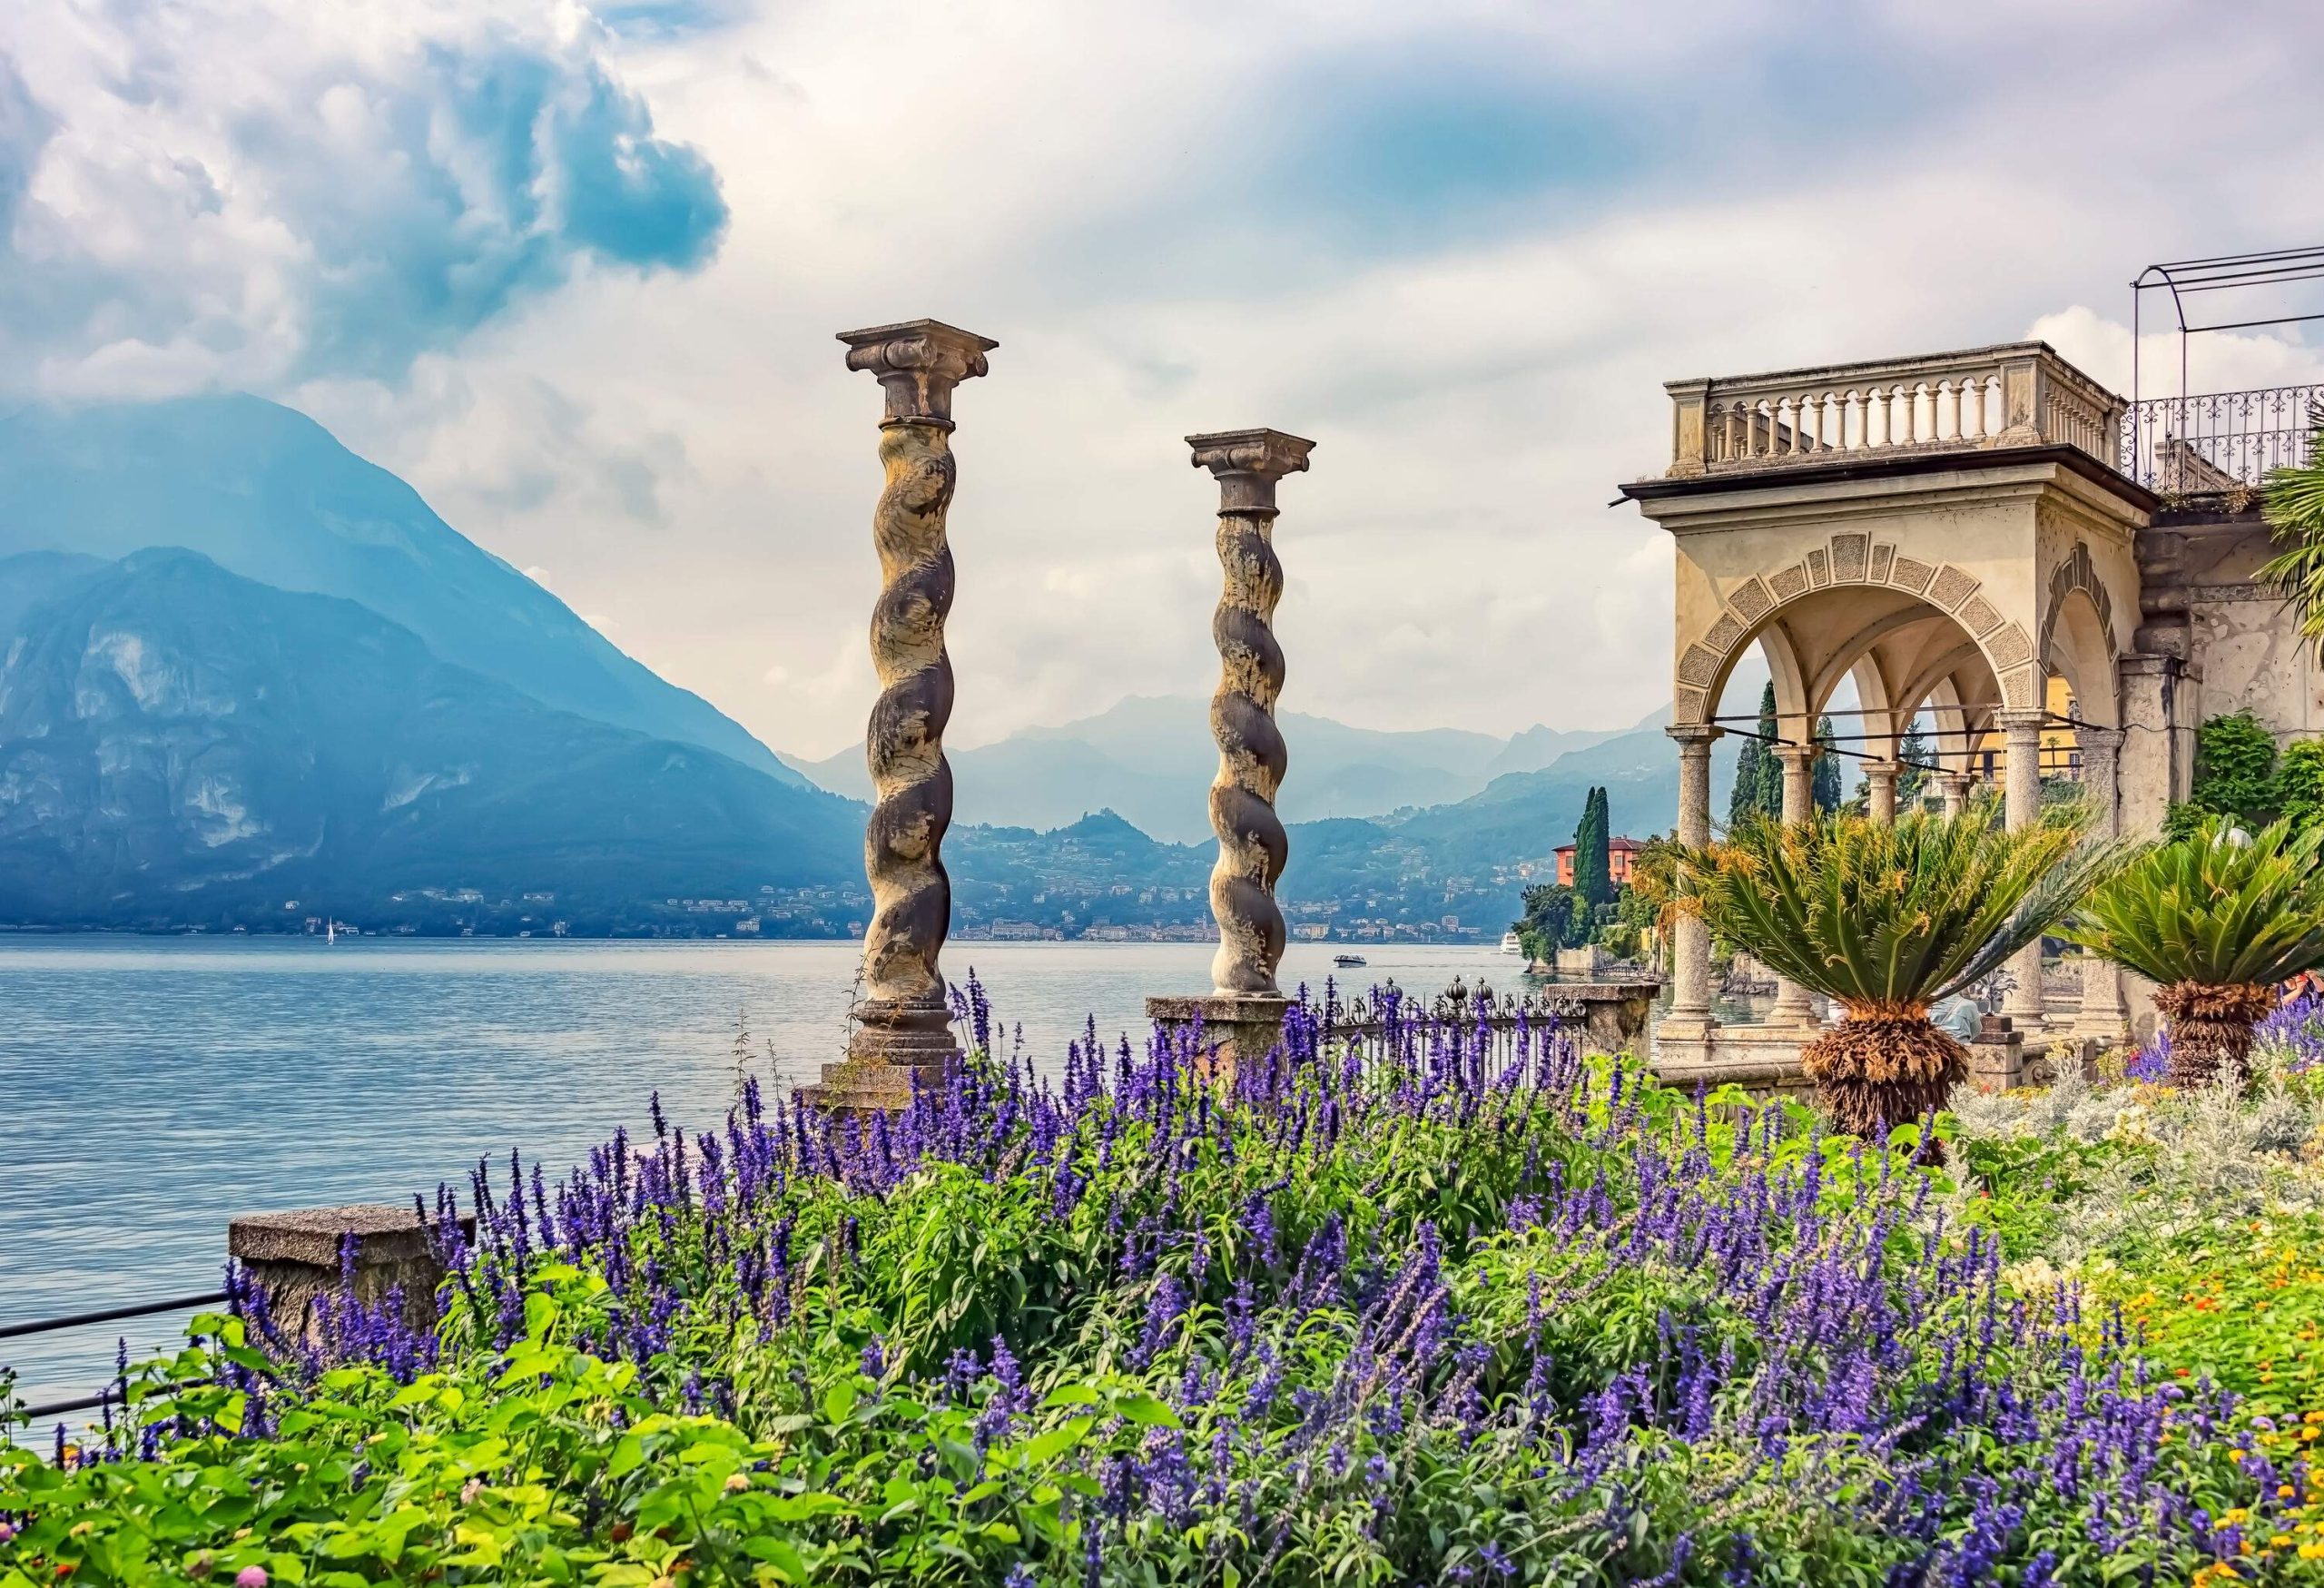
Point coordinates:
[[264, 194]]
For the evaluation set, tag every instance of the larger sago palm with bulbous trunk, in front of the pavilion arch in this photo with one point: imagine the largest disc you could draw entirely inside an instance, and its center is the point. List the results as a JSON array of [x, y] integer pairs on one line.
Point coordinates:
[[1886, 920]]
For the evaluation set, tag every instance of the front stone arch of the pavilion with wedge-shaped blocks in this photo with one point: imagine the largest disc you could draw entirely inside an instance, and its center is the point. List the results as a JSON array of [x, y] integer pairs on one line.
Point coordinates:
[[1856, 559]]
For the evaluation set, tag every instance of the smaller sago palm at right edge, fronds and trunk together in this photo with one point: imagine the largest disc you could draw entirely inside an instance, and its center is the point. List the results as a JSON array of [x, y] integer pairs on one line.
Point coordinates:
[[2216, 922]]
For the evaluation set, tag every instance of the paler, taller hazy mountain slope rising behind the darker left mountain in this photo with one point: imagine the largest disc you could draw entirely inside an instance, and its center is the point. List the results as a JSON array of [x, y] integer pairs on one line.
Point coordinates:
[[271, 496]]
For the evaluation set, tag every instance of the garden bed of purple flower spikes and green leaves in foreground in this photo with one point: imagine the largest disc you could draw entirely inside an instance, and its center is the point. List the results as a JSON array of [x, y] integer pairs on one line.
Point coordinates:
[[1400, 1312]]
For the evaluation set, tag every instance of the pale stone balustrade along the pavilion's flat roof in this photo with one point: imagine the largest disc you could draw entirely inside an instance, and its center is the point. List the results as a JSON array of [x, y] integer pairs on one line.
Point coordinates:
[[2018, 394]]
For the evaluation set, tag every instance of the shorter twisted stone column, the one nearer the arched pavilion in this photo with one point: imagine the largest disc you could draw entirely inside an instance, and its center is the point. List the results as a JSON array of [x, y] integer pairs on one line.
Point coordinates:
[[1245, 1010]]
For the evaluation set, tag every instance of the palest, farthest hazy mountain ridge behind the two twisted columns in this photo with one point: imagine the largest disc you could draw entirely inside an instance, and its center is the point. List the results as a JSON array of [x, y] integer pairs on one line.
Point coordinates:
[[1149, 759]]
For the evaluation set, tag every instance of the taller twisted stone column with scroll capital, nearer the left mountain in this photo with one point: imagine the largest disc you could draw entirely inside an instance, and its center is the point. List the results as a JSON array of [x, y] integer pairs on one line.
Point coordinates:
[[903, 1027]]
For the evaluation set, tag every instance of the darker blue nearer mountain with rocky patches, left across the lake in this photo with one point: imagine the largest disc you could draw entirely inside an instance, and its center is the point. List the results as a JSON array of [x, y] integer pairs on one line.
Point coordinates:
[[180, 743]]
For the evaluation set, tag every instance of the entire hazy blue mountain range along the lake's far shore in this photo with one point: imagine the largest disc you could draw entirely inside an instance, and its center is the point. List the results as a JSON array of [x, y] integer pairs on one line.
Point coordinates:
[[241, 666]]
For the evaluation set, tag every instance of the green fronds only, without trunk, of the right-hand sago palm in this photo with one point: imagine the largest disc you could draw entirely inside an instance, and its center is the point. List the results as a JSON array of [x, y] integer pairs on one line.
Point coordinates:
[[2214, 913]]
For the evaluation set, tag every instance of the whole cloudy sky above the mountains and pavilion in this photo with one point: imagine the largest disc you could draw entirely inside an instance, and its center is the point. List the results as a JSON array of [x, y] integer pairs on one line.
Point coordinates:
[[578, 273]]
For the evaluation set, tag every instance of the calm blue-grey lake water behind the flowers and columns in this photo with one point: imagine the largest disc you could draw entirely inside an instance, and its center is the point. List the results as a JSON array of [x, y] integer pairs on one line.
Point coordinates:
[[152, 1089]]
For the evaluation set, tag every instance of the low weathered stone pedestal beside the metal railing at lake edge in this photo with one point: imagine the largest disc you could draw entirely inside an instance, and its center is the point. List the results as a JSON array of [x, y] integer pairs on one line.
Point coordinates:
[[296, 1259]]
